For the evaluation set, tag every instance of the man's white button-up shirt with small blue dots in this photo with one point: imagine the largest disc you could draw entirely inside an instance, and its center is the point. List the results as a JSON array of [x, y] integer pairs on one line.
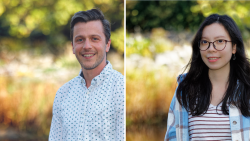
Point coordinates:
[[87, 114]]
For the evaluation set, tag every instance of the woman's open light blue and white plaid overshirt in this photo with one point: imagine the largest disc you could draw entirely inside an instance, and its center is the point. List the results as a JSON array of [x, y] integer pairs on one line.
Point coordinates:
[[177, 126]]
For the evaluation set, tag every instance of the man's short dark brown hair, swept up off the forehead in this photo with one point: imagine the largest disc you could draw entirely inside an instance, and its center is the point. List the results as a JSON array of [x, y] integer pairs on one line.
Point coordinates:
[[90, 15]]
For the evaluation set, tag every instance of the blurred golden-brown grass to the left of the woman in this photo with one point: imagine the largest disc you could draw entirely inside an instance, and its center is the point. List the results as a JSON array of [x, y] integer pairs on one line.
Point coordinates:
[[148, 95]]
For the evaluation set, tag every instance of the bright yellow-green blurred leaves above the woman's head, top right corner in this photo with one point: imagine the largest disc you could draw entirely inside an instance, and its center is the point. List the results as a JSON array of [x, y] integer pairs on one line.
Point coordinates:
[[238, 10]]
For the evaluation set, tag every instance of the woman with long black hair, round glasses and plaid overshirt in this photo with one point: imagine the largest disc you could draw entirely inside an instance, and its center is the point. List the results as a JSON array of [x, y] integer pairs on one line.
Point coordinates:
[[212, 99]]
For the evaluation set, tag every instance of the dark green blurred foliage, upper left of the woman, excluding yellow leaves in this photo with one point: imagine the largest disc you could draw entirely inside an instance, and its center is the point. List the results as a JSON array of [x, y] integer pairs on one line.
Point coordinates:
[[171, 15]]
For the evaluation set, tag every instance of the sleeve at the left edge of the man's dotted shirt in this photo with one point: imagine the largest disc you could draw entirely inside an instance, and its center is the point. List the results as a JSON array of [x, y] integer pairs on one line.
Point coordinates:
[[56, 123]]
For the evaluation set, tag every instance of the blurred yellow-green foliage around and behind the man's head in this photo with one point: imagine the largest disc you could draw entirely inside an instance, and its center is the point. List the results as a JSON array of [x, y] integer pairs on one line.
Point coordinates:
[[43, 26]]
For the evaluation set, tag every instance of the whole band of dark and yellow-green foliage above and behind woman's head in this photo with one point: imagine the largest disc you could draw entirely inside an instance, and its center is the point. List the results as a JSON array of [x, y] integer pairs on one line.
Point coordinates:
[[184, 15]]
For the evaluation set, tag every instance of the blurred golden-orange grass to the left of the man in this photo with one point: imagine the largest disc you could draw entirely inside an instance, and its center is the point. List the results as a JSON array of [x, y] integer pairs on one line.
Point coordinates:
[[26, 104]]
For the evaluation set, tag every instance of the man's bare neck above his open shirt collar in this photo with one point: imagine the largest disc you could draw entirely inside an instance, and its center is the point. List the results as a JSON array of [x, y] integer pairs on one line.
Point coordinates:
[[90, 74]]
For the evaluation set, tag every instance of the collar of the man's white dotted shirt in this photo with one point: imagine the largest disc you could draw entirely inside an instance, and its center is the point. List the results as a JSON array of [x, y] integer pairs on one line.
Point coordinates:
[[99, 78]]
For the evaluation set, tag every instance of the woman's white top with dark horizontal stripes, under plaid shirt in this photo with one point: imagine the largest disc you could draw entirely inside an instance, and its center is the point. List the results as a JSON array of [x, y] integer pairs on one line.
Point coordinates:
[[213, 125]]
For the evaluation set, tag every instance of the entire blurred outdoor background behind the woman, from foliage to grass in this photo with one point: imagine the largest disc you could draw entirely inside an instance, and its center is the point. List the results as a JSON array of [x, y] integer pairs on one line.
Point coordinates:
[[158, 39]]
